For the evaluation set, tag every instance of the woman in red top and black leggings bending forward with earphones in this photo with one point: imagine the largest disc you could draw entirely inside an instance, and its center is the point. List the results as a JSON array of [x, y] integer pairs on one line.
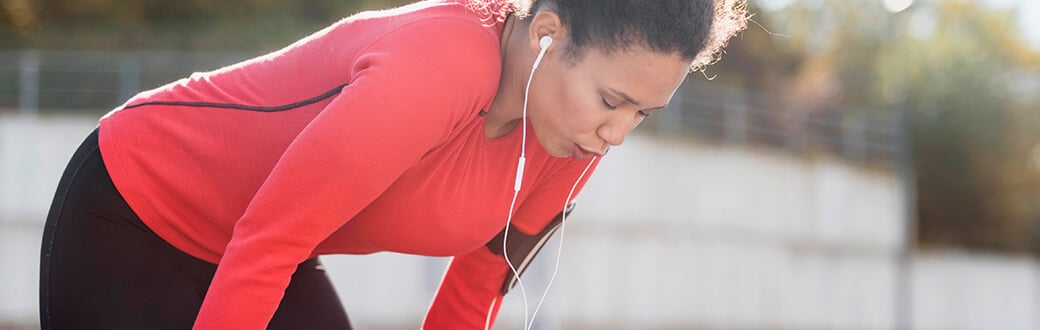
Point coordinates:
[[205, 202]]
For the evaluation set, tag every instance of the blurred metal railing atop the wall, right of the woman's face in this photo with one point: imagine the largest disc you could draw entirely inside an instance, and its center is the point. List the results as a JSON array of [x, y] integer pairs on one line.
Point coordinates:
[[710, 112]]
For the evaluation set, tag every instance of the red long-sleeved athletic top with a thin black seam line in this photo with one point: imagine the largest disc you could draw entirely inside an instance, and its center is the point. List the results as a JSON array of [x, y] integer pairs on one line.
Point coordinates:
[[366, 137]]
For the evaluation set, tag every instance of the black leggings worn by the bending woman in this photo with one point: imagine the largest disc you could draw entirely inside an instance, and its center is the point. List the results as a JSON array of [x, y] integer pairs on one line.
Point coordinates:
[[102, 268]]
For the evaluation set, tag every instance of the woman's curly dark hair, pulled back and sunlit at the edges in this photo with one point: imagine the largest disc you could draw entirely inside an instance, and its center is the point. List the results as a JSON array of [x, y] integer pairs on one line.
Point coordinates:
[[696, 30]]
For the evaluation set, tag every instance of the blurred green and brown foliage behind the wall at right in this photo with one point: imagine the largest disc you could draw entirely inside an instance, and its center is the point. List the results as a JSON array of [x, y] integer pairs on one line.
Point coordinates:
[[971, 85]]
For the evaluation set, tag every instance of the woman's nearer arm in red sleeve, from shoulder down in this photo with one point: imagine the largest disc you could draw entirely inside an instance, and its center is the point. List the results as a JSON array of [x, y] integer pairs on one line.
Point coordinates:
[[408, 91]]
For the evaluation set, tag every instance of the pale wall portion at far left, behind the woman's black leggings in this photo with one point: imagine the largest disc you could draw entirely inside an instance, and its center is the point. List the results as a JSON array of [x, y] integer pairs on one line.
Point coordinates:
[[34, 153]]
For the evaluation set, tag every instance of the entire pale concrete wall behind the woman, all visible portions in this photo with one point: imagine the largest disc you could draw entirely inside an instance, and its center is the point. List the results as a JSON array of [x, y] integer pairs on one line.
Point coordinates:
[[668, 236]]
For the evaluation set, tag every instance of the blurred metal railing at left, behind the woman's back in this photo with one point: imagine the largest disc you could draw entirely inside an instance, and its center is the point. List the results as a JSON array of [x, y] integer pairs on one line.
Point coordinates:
[[94, 81]]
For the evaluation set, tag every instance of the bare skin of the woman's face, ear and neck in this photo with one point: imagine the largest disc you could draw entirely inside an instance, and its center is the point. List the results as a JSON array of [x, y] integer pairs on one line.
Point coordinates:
[[579, 108]]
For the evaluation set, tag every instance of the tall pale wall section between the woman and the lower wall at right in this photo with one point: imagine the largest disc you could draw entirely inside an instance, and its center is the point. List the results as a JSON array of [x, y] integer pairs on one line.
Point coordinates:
[[687, 235]]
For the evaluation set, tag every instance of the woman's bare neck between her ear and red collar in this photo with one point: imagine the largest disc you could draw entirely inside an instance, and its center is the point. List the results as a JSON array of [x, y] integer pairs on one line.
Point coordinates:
[[507, 109]]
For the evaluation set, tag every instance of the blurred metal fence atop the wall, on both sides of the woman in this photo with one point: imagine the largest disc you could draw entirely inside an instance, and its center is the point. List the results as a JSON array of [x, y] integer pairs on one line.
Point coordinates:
[[91, 82]]
